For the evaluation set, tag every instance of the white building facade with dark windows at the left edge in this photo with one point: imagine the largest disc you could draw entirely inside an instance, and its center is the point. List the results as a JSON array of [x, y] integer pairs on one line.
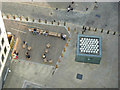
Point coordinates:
[[4, 48]]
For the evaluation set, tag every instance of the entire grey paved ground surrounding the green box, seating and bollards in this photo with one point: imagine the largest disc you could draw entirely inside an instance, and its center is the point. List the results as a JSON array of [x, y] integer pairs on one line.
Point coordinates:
[[38, 74]]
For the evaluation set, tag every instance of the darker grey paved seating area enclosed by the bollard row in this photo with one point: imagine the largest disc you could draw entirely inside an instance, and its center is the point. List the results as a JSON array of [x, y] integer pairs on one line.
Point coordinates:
[[37, 42]]
